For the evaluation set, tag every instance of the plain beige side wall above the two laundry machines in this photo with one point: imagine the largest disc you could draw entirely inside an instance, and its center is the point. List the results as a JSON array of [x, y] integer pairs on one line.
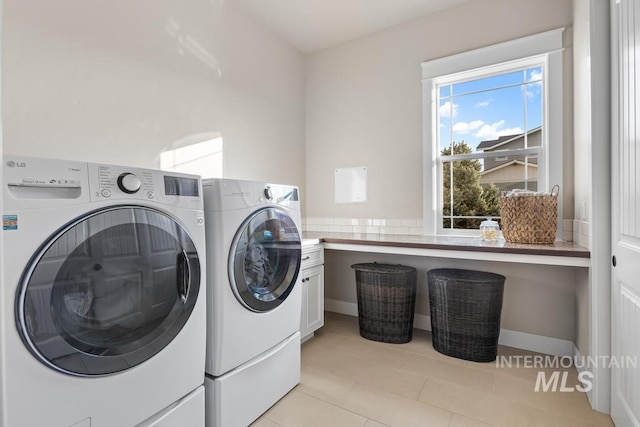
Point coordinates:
[[119, 81]]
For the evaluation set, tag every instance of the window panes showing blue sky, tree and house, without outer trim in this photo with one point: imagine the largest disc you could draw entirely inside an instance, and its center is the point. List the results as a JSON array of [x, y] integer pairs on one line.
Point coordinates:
[[490, 136]]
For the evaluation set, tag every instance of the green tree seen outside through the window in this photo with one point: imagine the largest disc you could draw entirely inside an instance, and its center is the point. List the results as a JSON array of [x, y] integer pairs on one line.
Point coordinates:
[[469, 197]]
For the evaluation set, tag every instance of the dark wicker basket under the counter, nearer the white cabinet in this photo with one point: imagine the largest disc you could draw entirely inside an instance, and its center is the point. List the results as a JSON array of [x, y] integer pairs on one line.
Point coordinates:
[[386, 301]]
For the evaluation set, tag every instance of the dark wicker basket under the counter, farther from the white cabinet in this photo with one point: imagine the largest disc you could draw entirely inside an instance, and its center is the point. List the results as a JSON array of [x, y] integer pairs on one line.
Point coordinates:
[[465, 313]]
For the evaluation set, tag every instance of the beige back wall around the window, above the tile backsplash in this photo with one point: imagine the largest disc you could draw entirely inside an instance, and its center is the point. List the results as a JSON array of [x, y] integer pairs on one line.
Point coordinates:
[[364, 100]]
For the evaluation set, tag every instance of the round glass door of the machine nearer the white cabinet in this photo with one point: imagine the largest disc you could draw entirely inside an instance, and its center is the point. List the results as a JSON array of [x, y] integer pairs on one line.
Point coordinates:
[[265, 259]]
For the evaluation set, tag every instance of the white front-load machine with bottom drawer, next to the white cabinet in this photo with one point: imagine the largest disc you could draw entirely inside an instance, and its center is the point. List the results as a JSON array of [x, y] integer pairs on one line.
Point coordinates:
[[253, 302]]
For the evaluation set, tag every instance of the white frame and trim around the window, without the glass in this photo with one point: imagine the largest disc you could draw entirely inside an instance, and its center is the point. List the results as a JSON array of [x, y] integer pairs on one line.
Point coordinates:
[[543, 48]]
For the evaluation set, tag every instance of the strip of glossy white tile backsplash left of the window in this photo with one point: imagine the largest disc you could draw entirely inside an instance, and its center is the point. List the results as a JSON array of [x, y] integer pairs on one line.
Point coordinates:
[[364, 225]]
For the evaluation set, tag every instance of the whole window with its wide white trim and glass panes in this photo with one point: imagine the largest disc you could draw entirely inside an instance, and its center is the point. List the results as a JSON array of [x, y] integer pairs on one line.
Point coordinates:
[[492, 123]]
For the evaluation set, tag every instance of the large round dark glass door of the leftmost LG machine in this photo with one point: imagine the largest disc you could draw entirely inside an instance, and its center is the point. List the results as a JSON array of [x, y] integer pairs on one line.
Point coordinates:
[[108, 291]]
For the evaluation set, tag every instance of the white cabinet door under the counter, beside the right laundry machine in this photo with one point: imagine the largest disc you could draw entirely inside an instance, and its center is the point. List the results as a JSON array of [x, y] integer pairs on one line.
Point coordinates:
[[312, 300]]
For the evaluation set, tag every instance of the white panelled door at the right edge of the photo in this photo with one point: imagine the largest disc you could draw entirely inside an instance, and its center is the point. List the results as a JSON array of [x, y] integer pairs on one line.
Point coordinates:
[[625, 276]]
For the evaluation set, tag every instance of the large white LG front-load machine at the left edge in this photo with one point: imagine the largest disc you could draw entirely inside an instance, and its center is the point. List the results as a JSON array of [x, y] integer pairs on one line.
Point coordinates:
[[102, 310]]
